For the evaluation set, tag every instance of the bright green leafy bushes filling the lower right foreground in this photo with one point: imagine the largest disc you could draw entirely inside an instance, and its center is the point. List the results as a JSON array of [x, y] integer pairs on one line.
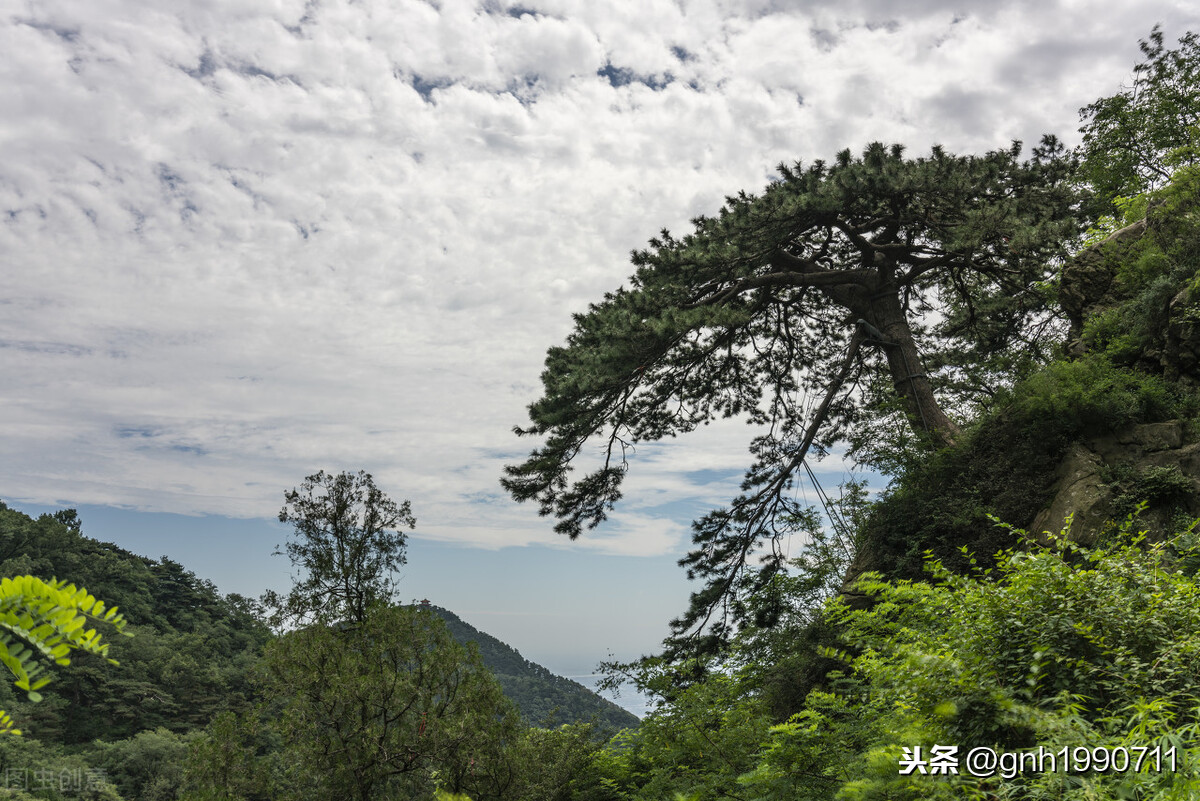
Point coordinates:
[[1058, 646]]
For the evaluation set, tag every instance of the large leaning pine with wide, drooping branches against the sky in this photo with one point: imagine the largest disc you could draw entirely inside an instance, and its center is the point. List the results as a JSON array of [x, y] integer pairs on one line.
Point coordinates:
[[843, 293]]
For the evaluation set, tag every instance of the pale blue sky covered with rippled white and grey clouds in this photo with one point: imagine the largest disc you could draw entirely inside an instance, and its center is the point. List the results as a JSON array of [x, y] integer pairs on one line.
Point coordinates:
[[247, 240]]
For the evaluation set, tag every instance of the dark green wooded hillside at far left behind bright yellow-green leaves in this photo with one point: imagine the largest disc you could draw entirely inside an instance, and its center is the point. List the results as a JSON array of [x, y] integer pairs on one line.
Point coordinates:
[[190, 657]]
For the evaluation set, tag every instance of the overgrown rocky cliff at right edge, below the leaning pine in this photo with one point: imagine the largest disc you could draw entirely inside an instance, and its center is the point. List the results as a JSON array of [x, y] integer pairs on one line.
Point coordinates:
[[1109, 426]]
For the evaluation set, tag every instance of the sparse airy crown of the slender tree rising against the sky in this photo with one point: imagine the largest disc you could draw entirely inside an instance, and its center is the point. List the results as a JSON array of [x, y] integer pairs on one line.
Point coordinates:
[[347, 541]]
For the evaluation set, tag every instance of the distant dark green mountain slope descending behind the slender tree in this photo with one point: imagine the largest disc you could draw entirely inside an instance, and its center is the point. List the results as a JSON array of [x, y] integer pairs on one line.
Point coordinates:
[[539, 695]]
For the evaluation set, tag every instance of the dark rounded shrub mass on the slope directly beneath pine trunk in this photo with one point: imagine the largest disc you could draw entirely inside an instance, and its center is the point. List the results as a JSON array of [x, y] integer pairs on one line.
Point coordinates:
[[1006, 463]]
